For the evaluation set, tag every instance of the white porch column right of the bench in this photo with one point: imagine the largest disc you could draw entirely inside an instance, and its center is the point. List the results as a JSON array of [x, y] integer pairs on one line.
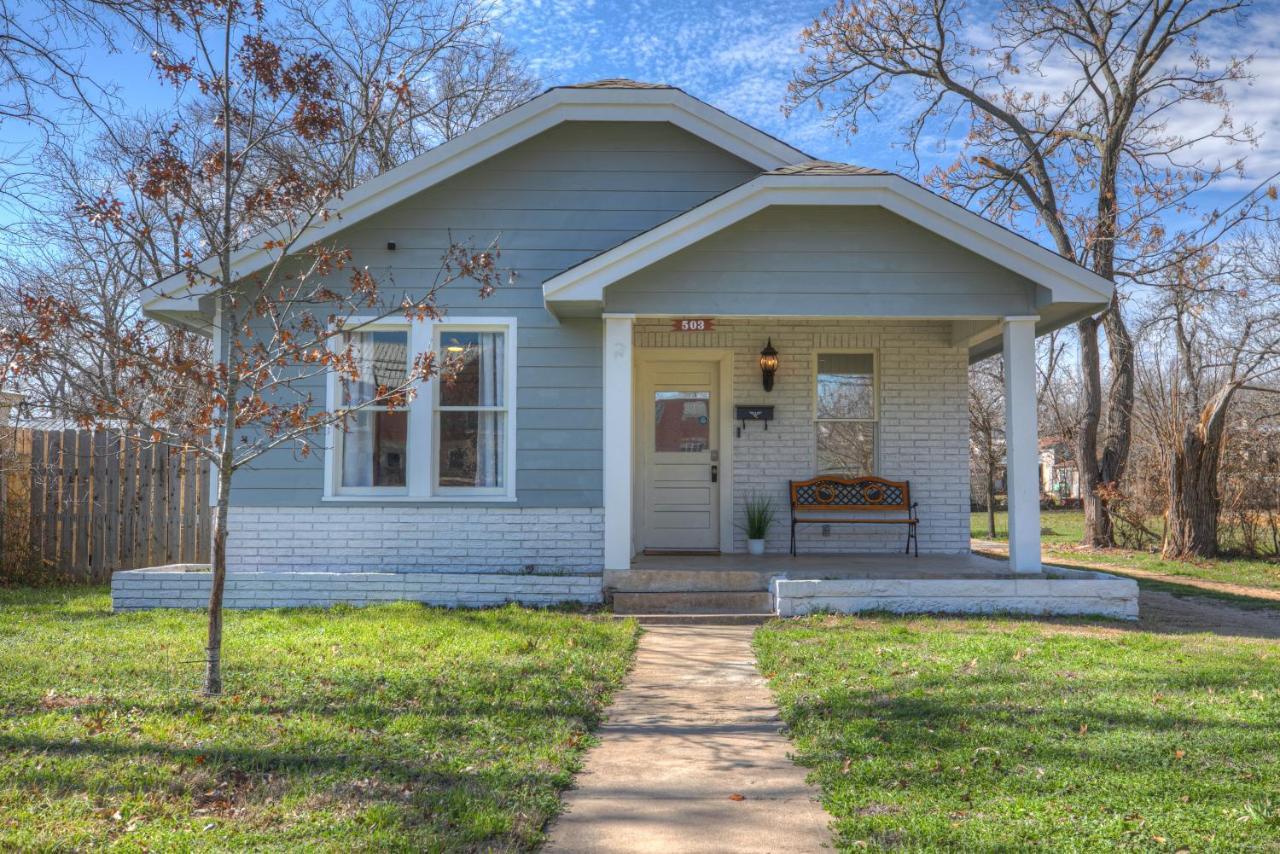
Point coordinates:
[[1022, 445]]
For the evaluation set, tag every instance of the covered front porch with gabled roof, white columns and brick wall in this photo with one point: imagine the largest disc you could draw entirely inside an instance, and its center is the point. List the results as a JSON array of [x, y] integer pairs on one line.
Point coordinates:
[[874, 298]]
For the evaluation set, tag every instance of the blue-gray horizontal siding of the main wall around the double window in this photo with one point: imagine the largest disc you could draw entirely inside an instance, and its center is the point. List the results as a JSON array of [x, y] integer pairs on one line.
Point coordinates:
[[550, 203]]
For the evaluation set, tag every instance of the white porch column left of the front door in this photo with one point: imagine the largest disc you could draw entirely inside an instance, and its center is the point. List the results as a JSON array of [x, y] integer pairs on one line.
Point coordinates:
[[618, 441]]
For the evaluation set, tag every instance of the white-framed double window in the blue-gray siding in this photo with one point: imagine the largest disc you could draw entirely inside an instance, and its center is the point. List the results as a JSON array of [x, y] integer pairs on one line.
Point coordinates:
[[456, 441]]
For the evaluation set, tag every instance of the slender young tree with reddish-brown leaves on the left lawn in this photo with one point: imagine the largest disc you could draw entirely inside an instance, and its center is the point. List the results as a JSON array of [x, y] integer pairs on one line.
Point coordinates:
[[231, 177]]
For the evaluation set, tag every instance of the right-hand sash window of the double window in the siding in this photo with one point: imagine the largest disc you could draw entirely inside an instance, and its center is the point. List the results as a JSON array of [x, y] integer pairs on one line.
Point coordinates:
[[474, 447]]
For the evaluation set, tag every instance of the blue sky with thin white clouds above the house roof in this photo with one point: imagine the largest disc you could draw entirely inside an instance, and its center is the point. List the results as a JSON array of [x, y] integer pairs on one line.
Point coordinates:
[[740, 54]]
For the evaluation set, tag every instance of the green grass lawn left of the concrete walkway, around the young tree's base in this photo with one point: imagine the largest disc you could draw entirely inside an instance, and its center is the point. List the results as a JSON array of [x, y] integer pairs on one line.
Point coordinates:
[[396, 728]]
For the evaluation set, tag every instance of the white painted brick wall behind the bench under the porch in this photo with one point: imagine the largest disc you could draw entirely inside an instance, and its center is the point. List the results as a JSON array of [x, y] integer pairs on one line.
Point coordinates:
[[924, 422]]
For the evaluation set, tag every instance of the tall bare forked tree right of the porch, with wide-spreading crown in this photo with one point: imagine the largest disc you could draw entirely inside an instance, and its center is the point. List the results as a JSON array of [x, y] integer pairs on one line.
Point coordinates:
[[1091, 161]]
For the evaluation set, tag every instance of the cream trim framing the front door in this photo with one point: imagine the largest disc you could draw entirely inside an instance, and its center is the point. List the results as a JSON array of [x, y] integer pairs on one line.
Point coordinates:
[[725, 413]]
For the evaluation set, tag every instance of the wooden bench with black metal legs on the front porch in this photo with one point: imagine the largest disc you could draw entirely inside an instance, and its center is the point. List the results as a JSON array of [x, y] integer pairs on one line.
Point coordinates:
[[854, 501]]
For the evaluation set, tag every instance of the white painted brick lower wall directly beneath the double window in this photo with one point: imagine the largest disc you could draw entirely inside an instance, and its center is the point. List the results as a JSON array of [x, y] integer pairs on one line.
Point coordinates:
[[354, 538]]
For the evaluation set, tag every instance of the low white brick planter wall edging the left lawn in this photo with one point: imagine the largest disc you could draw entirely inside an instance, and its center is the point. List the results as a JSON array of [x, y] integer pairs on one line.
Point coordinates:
[[161, 588]]
